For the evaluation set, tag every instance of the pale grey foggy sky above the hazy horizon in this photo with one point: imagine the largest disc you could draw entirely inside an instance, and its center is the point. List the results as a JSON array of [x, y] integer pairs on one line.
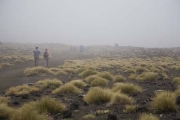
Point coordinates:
[[144, 23]]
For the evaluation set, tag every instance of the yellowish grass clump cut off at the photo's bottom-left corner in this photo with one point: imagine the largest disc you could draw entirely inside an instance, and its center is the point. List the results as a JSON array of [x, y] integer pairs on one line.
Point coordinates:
[[5, 111]]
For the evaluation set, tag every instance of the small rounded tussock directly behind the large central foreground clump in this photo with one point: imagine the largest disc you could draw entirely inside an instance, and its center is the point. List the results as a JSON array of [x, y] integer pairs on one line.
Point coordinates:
[[99, 81]]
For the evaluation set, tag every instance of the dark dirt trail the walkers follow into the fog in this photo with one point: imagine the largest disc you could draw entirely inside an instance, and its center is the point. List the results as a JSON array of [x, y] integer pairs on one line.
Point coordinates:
[[12, 77]]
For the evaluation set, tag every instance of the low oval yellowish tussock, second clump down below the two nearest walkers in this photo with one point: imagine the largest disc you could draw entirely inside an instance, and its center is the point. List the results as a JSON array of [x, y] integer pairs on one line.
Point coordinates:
[[48, 83]]
